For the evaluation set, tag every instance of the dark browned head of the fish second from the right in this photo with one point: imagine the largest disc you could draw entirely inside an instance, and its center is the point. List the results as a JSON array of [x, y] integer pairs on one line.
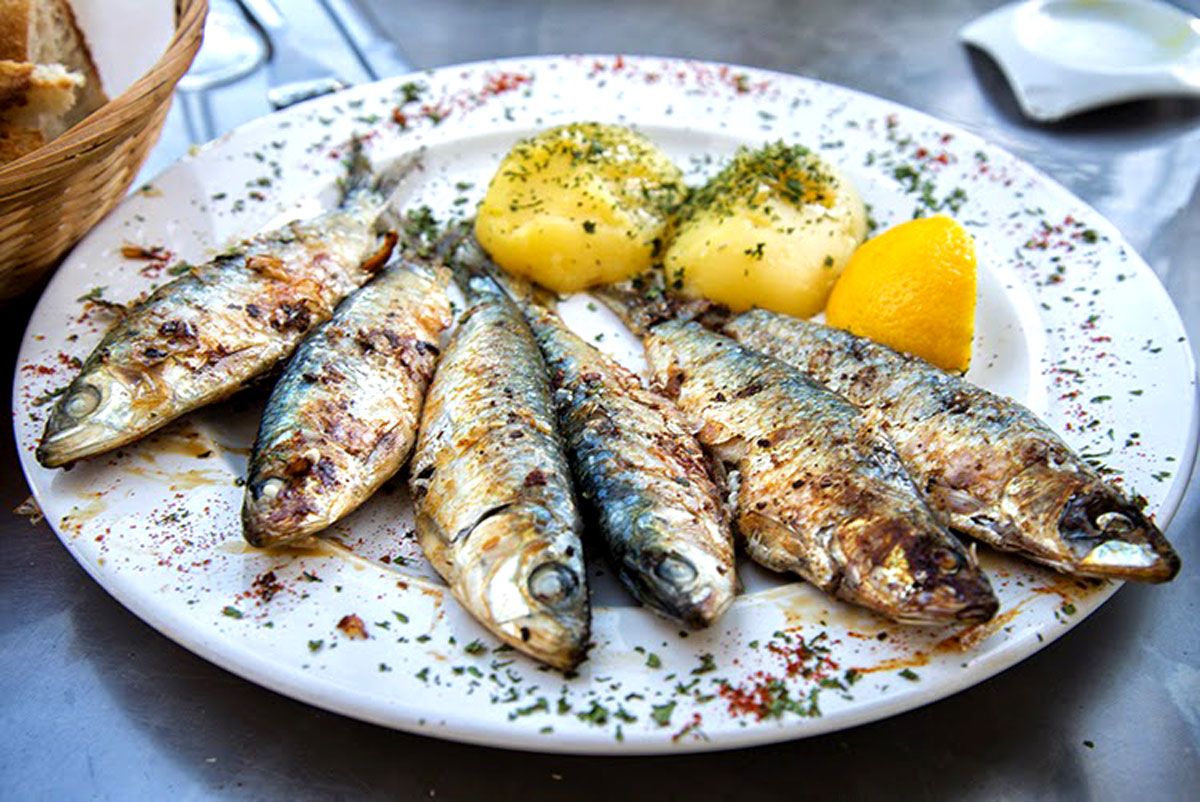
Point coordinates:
[[919, 579]]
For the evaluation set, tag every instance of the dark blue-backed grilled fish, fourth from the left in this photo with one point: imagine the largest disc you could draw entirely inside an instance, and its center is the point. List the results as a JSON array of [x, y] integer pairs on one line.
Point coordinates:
[[645, 477]]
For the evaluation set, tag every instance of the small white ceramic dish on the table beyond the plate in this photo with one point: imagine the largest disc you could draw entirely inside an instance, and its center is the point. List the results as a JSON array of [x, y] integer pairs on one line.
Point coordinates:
[[1064, 57]]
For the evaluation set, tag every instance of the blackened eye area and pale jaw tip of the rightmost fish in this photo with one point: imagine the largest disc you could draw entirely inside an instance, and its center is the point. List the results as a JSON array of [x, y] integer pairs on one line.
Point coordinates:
[[1113, 540]]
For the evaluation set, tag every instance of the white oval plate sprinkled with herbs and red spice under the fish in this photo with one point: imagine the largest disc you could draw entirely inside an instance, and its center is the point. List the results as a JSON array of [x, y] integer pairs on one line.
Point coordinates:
[[1071, 322]]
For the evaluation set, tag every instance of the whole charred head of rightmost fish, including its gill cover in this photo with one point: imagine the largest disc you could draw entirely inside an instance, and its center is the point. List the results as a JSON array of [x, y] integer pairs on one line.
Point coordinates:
[[1082, 525]]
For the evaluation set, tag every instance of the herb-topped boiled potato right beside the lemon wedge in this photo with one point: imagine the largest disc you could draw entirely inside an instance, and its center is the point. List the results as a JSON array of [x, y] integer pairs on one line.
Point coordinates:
[[775, 230]]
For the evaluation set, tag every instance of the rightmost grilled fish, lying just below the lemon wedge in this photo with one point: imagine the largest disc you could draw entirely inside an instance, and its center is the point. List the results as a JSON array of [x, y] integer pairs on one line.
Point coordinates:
[[986, 464]]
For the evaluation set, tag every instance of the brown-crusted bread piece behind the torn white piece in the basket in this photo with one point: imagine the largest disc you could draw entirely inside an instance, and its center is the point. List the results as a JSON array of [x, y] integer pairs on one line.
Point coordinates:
[[46, 33]]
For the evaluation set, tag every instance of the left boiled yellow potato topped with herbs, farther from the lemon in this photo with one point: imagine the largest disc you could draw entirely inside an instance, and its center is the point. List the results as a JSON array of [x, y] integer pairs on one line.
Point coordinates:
[[579, 206]]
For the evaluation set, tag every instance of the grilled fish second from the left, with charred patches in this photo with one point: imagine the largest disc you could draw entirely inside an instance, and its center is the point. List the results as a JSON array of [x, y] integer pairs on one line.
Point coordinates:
[[344, 417]]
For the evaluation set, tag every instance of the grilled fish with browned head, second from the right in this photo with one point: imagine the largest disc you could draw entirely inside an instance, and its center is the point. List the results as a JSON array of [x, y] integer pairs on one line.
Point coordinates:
[[821, 494]]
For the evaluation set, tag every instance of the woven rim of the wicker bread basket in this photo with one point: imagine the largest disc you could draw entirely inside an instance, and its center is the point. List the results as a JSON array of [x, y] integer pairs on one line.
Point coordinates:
[[119, 115]]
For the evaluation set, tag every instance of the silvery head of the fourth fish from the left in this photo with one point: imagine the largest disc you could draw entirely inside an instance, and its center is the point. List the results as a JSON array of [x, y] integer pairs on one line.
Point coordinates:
[[674, 573]]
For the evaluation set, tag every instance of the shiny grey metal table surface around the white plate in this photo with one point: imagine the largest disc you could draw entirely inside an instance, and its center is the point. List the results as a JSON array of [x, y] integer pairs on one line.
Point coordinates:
[[97, 705]]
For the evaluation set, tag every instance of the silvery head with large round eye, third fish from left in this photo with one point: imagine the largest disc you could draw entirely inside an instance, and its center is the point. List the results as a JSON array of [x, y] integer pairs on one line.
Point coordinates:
[[514, 573]]
